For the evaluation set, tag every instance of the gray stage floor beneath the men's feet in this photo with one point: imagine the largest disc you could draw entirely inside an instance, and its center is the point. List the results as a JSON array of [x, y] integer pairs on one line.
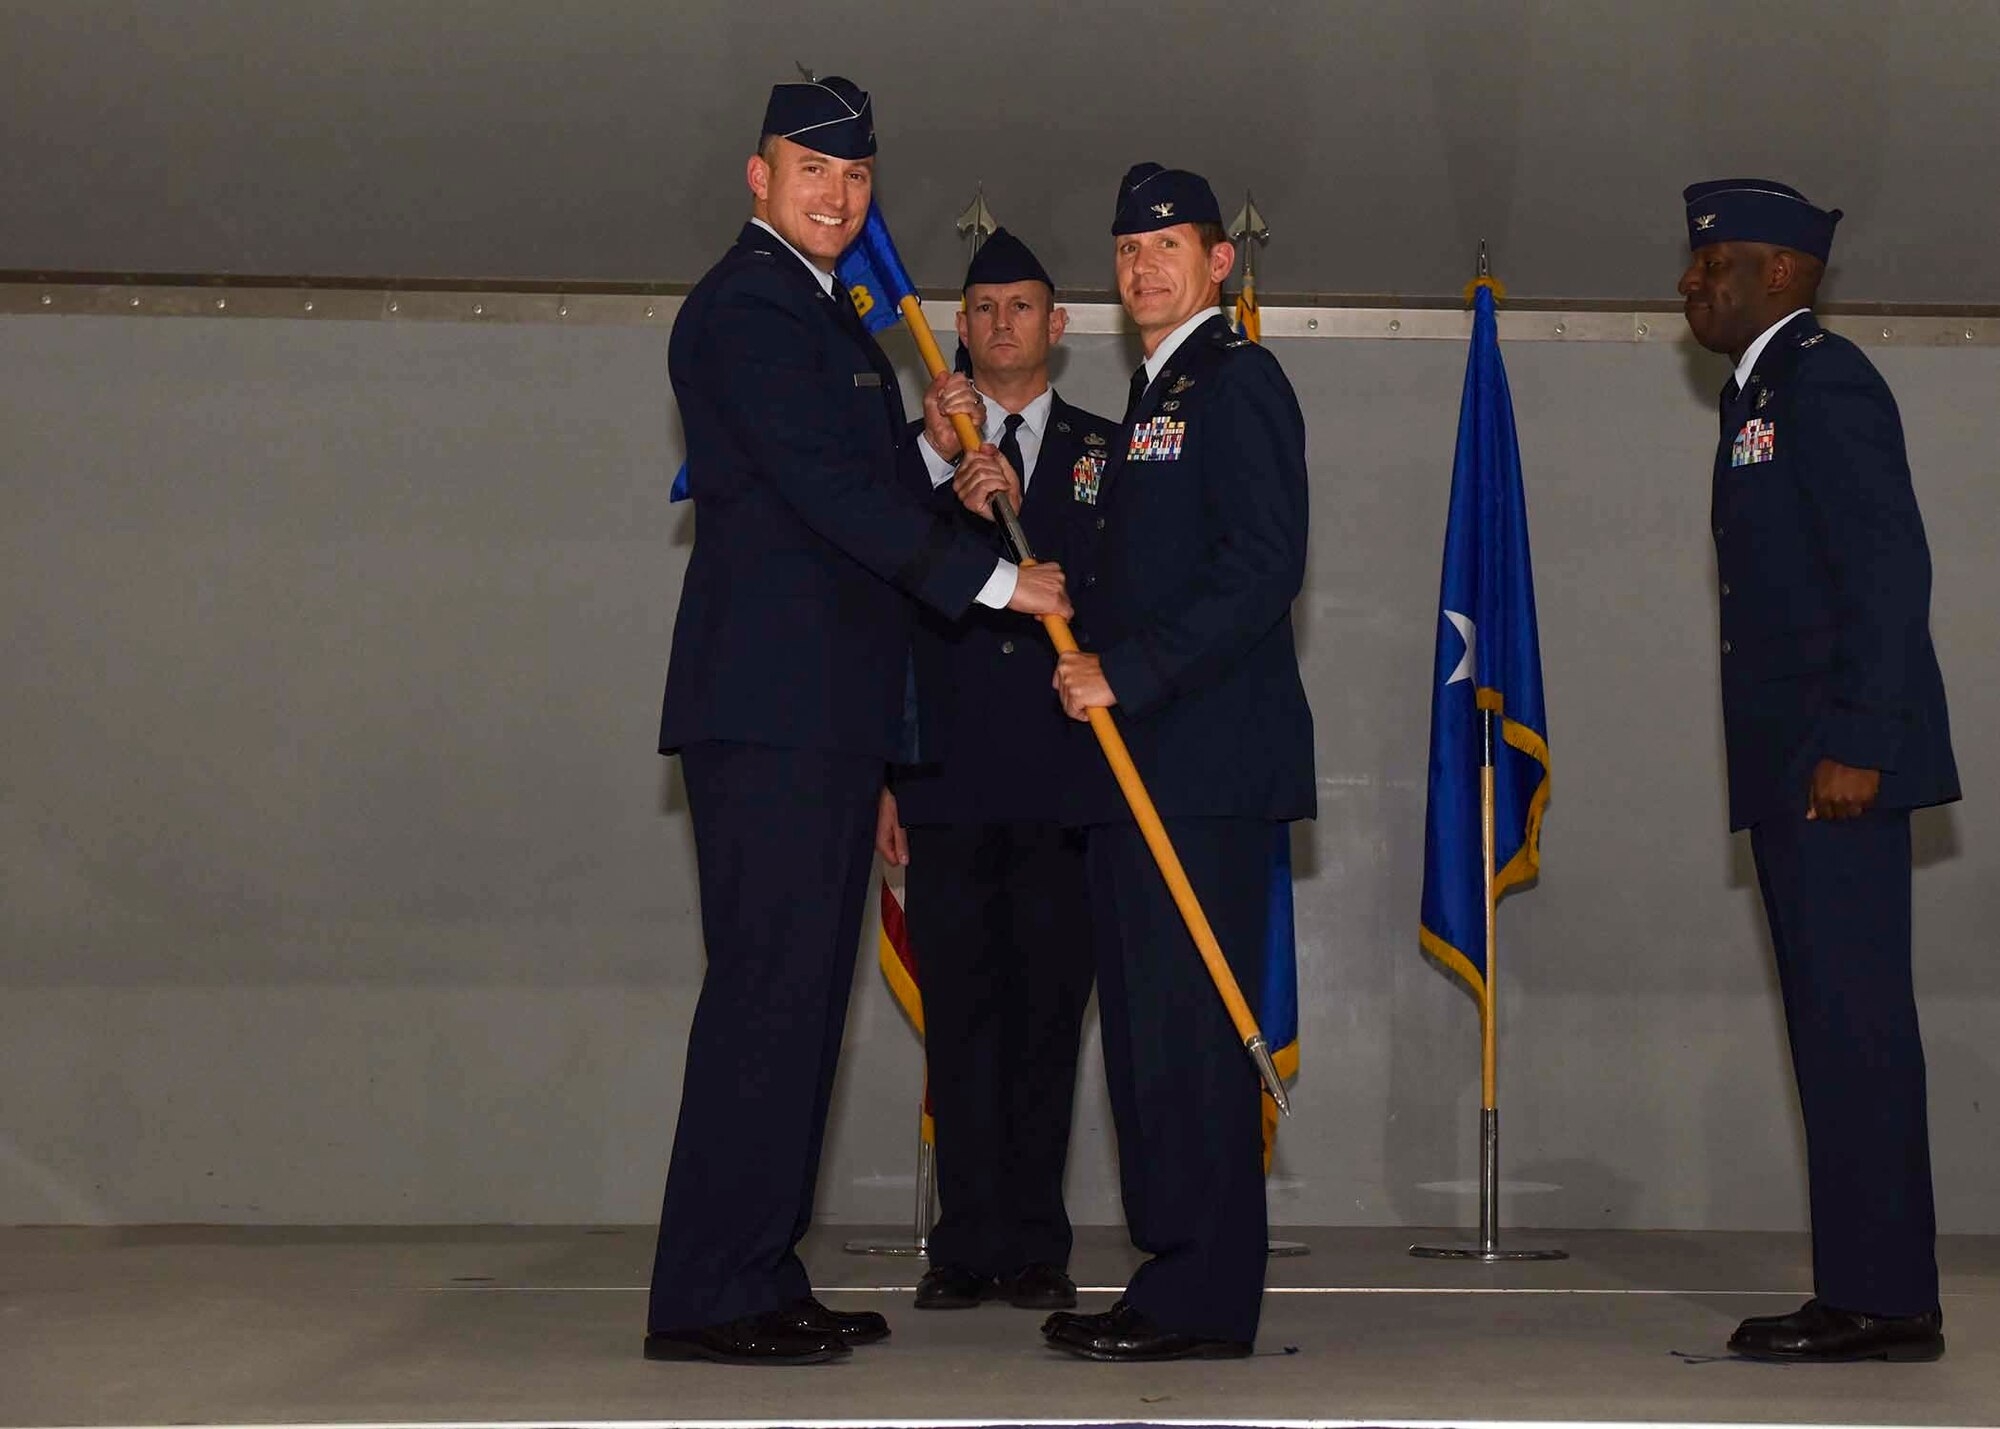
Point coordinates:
[[227, 1326]]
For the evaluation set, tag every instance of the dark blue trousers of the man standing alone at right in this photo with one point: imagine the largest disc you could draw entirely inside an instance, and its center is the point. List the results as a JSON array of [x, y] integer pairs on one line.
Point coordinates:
[[1839, 904]]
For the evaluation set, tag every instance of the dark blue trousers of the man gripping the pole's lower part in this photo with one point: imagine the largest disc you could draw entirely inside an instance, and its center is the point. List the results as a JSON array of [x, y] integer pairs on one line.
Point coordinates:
[[1185, 1094]]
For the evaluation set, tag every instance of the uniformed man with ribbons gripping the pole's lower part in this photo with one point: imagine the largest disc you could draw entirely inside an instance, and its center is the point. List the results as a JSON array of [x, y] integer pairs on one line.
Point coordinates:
[[1185, 563]]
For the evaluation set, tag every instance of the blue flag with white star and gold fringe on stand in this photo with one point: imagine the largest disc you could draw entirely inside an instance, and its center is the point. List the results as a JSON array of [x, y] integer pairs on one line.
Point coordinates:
[[1489, 657]]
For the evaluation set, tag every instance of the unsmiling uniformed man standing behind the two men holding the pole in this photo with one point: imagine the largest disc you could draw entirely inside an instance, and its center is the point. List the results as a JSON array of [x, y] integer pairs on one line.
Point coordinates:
[[995, 896]]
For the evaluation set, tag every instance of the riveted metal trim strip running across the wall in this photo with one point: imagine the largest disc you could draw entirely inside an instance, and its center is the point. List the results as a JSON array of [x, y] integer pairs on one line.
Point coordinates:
[[629, 309]]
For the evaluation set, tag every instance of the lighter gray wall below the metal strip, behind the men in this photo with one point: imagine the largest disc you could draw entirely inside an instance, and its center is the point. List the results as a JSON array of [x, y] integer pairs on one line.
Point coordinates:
[[339, 880]]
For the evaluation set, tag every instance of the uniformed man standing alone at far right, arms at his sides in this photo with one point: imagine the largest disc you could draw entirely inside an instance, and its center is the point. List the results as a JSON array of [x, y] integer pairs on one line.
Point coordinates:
[[1835, 724]]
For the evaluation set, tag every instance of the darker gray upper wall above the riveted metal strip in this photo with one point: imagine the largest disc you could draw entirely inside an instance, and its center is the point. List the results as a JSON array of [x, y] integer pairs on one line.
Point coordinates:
[[605, 139]]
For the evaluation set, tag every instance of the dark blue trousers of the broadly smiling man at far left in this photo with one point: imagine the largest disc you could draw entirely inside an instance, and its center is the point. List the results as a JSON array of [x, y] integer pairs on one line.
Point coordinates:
[[785, 842]]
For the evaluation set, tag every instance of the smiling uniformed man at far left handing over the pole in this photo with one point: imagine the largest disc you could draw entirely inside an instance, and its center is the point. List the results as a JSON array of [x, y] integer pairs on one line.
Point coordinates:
[[785, 701]]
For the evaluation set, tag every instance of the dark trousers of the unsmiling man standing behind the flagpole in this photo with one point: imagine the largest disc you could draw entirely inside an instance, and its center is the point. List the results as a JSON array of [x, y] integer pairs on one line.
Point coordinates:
[[1001, 928]]
